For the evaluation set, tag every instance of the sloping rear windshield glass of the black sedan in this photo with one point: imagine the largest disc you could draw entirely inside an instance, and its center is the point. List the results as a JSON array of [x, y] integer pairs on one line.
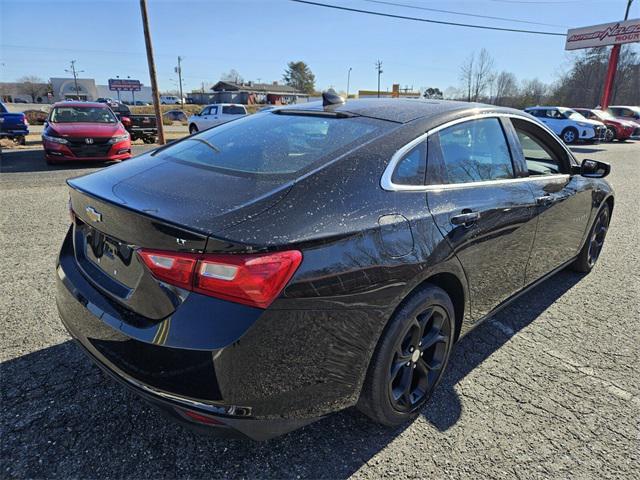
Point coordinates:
[[275, 144]]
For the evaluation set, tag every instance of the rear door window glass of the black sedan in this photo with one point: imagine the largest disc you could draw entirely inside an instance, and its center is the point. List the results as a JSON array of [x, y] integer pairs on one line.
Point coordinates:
[[475, 151]]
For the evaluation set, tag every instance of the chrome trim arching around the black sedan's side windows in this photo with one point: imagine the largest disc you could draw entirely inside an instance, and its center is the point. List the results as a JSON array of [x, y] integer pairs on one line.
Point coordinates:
[[387, 184]]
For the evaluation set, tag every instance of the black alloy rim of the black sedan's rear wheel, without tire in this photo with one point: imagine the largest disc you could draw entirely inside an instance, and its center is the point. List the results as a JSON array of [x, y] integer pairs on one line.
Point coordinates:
[[418, 360]]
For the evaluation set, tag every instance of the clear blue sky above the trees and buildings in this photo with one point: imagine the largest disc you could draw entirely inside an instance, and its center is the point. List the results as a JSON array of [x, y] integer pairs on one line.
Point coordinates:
[[258, 37]]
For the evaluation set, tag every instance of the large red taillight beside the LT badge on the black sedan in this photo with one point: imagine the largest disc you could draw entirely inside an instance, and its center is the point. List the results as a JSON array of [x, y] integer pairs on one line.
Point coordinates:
[[250, 279]]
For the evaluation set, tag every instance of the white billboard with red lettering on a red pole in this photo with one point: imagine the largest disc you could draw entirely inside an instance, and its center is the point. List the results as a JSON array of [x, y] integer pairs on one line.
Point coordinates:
[[614, 33]]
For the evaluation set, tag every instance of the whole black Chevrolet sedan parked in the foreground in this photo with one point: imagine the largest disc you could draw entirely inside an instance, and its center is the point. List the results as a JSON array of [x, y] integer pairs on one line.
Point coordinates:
[[272, 270]]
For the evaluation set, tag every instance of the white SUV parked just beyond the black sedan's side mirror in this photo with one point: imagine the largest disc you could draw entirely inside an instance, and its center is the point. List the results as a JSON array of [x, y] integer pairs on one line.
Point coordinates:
[[568, 124]]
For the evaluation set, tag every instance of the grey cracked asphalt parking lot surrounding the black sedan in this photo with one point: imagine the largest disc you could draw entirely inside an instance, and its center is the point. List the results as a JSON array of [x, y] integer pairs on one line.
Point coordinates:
[[549, 388]]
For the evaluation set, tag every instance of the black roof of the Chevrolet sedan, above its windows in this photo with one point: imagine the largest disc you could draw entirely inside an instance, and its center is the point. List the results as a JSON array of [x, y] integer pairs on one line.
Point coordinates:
[[400, 110]]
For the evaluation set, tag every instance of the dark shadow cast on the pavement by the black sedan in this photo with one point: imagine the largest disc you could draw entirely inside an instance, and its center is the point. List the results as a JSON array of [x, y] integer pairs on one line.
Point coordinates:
[[62, 415]]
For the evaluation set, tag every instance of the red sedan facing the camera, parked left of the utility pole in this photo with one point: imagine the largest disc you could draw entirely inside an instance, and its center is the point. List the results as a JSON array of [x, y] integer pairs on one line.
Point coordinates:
[[84, 131]]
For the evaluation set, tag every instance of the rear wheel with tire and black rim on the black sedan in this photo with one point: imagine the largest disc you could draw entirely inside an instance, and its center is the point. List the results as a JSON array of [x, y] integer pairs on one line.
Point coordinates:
[[399, 381]]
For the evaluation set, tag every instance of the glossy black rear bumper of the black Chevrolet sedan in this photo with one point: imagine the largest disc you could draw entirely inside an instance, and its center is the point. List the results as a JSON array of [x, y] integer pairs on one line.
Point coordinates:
[[262, 373]]
